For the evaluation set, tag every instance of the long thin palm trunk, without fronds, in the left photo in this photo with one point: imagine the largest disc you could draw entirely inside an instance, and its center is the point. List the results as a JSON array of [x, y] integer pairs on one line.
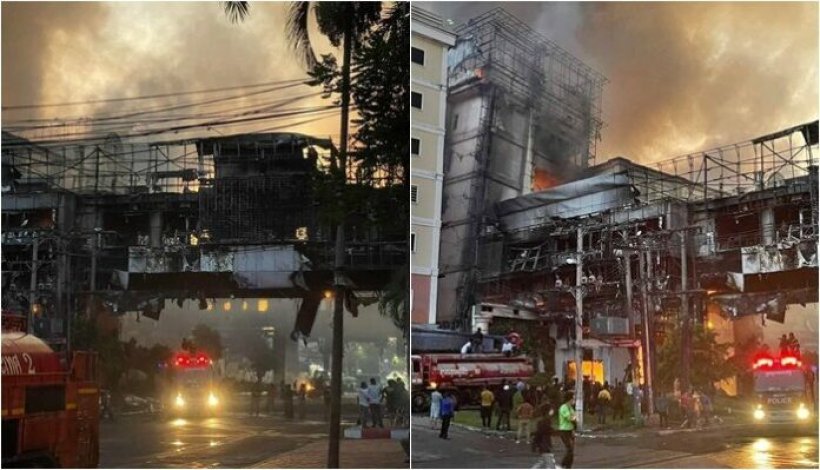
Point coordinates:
[[338, 306]]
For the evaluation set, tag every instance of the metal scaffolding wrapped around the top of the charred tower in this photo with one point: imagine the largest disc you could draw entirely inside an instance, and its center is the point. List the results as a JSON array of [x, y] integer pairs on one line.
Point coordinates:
[[566, 92]]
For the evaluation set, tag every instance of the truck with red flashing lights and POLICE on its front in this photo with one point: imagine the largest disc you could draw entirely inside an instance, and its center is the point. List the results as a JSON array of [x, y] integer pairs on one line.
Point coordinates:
[[784, 390]]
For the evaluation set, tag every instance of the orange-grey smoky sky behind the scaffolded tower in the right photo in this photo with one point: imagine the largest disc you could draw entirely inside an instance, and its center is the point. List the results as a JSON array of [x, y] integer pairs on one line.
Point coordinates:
[[682, 76]]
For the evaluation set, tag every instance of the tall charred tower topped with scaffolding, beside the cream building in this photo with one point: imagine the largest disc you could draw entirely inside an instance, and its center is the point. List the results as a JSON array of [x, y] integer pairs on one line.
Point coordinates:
[[523, 115]]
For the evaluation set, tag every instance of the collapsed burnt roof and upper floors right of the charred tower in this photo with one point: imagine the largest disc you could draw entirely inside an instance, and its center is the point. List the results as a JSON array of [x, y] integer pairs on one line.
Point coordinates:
[[744, 215]]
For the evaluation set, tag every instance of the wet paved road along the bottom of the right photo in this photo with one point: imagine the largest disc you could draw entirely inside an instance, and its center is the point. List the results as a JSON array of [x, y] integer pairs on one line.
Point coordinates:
[[731, 447]]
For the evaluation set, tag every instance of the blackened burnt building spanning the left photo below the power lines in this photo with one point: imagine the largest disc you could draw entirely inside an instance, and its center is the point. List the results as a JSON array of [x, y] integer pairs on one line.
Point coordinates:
[[135, 223]]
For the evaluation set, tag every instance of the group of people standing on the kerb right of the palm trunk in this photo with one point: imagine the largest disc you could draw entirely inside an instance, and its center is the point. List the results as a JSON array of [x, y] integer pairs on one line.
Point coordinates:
[[372, 399]]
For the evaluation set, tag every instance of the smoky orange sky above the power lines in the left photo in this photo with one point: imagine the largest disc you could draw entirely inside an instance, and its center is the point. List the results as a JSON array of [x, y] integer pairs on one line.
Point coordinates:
[[56, 52]]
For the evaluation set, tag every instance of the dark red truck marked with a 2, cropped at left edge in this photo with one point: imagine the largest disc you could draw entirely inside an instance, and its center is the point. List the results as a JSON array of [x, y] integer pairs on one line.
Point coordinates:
[[50, 410]]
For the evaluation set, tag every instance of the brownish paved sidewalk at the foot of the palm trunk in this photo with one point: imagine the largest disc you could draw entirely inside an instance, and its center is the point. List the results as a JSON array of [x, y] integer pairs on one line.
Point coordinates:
[[352, 454]]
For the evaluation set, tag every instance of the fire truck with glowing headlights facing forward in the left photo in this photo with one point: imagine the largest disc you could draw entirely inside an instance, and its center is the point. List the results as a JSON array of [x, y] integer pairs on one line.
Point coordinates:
[[193, 385]]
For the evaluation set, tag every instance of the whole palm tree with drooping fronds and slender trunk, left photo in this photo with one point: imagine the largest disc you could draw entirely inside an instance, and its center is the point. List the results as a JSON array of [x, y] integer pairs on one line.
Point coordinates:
[[345, 24]]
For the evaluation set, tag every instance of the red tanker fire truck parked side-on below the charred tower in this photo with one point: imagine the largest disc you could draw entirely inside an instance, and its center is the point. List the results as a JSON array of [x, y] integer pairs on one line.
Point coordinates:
[[464, 374]]
